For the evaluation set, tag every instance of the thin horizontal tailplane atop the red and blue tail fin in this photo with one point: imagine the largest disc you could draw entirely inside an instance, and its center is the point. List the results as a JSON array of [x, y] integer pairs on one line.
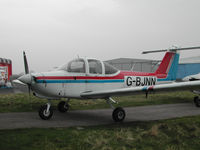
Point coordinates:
[[171, 50]]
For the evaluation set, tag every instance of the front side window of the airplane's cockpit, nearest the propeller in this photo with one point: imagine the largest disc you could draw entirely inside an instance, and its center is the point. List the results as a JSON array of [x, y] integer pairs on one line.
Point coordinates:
[[76, 66]]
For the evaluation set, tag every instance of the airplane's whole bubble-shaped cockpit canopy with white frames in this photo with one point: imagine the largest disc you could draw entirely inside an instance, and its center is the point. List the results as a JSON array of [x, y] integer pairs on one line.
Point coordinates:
[[89, 66]]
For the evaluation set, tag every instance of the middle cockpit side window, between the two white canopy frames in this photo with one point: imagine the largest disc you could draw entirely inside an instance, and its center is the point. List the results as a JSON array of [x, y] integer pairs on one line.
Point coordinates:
[[95, 66]]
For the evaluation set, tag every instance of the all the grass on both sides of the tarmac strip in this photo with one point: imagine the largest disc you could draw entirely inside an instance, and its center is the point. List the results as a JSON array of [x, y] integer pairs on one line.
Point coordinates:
[[173, 134]]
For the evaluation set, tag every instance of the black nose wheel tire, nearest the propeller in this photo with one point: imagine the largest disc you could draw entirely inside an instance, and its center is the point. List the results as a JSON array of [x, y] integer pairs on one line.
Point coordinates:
[[43, 114]]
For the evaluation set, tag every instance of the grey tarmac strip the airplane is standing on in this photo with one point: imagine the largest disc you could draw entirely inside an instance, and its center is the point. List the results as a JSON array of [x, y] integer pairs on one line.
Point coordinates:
[[80, 118]]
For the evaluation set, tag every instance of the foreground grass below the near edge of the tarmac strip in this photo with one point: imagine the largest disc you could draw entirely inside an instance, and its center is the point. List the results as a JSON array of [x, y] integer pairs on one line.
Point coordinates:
[[173, 134]]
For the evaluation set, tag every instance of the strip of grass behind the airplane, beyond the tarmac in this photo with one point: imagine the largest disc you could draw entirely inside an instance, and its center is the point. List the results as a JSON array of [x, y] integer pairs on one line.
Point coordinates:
[[22, 103]]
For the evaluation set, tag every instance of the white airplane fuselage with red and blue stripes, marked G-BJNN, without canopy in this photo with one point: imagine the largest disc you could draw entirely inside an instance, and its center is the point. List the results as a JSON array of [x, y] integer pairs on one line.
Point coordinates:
[[59, 84]]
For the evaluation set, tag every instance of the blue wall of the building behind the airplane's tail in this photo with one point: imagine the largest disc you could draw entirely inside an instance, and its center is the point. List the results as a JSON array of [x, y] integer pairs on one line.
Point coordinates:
[[187, 69]]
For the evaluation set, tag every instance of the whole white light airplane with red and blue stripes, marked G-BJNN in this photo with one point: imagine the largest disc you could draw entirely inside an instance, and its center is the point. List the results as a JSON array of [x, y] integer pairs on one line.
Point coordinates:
[[94, 79]]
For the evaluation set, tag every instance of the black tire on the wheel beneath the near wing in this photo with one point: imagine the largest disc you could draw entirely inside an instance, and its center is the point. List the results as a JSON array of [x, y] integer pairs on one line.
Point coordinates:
[[118, 114]]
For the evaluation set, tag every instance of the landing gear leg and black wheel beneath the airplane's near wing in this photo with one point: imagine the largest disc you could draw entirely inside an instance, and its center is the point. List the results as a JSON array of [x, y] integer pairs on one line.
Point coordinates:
[[118, 114]]
